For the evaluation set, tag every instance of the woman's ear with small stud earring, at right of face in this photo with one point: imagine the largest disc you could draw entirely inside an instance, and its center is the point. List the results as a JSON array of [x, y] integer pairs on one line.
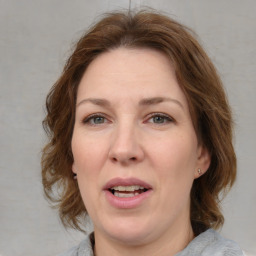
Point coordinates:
[[203, 161]]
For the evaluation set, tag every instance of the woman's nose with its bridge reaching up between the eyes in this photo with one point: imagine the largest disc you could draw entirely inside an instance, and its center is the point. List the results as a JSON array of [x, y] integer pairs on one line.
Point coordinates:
[[125, 144]]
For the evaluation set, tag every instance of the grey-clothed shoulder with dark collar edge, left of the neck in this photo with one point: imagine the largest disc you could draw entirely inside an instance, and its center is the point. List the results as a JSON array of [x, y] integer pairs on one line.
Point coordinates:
[[85, 248]]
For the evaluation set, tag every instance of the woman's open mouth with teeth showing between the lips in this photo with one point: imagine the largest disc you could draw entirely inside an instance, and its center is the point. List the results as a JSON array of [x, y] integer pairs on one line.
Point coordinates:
[[127, 191]]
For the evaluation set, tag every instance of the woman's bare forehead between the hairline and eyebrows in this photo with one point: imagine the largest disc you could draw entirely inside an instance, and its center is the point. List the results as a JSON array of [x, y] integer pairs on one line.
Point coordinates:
[[133, 73]]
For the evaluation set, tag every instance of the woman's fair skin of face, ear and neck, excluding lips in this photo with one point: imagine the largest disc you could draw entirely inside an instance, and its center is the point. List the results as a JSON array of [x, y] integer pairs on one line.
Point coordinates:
[[153, 141]]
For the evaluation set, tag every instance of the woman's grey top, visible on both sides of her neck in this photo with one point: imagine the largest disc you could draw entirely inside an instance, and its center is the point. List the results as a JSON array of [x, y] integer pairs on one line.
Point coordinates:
[[208, 243]]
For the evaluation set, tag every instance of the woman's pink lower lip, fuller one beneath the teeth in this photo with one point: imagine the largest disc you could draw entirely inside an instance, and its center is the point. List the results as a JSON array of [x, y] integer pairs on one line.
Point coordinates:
[[127, 202]]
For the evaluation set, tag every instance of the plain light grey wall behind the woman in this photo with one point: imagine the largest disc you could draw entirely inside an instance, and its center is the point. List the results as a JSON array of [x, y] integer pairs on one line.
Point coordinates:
[[36, 38]]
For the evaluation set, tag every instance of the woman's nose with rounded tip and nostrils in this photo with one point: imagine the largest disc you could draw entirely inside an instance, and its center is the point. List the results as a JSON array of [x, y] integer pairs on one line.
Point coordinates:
[[126, 147]]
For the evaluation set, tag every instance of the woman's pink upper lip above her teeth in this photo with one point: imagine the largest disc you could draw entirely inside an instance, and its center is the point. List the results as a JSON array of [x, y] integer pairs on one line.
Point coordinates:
[[126, 182]]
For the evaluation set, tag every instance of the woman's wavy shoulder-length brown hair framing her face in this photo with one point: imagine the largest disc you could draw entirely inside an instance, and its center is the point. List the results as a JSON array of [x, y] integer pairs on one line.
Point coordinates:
[[197, 77]]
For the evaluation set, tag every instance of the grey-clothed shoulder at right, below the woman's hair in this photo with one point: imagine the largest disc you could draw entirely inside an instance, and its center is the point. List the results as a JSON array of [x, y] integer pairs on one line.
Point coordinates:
[[211, 243]]
